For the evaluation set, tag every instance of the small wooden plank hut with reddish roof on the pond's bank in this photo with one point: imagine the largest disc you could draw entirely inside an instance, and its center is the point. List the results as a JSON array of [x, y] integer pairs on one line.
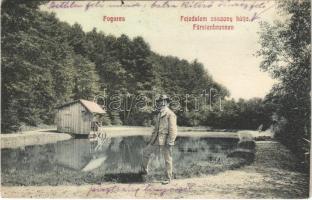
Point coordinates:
[[79, 117]]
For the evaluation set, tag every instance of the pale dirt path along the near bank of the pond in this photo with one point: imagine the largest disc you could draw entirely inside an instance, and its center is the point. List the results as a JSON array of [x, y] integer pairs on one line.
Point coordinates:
[[272, 175]]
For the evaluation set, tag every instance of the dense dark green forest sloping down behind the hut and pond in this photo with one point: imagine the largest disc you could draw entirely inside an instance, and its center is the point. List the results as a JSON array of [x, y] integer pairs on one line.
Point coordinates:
[[46, 62]]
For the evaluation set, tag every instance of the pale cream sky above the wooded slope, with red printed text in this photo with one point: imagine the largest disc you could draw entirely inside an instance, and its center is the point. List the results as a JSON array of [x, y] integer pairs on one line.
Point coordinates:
[[227, 55]]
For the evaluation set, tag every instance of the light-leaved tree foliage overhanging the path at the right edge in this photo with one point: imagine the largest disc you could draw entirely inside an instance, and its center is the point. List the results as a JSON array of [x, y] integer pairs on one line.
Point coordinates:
[[286, 52]]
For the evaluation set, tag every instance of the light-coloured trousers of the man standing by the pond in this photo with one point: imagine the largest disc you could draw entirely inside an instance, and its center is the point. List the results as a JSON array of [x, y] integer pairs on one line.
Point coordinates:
[[166, 150]]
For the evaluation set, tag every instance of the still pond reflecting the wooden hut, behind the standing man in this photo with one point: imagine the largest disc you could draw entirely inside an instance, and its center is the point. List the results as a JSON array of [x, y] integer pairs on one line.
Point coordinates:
[[81, 161]]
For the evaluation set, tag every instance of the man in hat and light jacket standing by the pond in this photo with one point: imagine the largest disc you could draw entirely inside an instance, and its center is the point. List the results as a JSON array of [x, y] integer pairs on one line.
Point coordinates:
[[163, 137]]
